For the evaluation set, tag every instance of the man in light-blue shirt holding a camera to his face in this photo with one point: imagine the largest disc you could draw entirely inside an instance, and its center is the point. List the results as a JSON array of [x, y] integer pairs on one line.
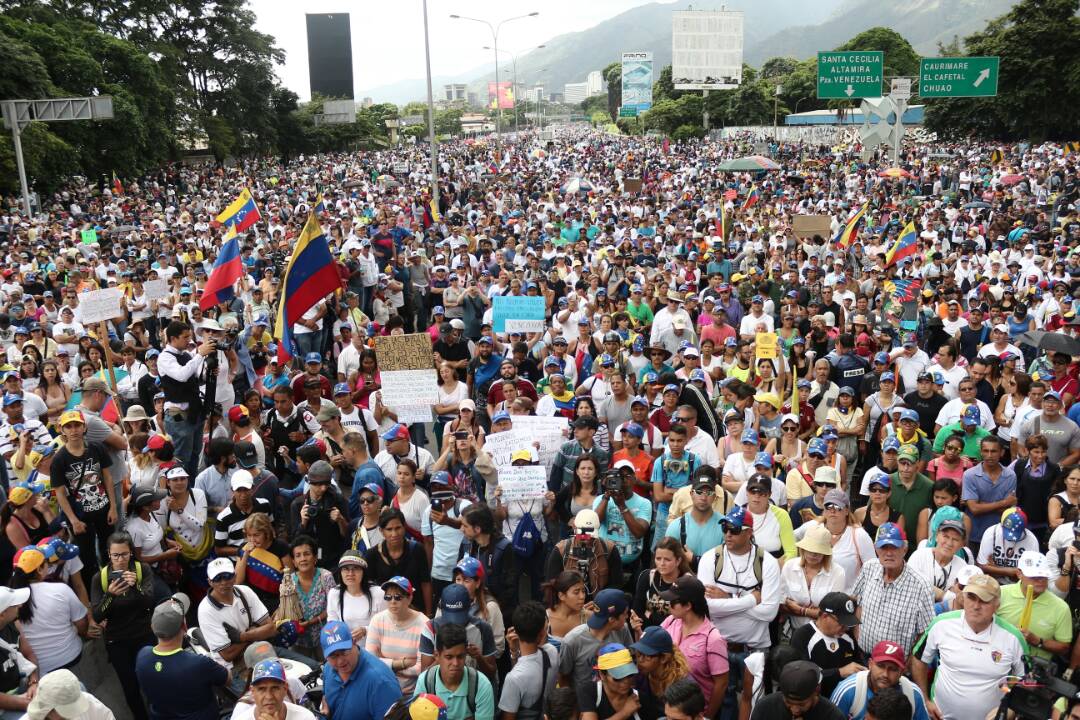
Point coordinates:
[[625, 515]]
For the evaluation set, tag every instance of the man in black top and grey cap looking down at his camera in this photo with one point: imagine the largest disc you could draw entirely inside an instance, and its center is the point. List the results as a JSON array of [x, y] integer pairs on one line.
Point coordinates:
[[321, 513]]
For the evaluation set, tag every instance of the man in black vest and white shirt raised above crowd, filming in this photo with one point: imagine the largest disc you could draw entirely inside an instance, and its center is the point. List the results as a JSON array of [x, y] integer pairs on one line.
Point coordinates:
[[181, 372]]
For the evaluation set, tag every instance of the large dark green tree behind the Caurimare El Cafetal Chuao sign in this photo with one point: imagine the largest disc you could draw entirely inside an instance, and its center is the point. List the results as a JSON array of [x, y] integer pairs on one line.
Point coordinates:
[[1039, 84]]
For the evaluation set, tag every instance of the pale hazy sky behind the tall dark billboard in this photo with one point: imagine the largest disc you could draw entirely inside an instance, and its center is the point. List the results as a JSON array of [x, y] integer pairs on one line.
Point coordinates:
[[388, 36]]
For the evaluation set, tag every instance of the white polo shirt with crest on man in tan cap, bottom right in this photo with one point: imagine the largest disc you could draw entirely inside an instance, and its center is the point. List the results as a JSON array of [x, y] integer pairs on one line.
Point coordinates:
[[970, 665]]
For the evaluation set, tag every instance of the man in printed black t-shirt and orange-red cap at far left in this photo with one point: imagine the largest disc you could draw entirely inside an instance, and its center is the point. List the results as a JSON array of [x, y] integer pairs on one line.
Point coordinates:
[[84, 485]]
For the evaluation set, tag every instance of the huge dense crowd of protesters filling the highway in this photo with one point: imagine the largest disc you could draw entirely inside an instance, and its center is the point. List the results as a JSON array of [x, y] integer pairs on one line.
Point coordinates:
[[825, 476]]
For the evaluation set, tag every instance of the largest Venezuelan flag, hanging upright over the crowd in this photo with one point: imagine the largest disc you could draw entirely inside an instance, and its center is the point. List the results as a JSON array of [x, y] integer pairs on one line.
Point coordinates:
[[310, 277]]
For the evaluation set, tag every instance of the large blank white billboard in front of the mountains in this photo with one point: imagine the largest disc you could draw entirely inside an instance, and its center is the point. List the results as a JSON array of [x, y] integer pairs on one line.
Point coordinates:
[[707, 50]]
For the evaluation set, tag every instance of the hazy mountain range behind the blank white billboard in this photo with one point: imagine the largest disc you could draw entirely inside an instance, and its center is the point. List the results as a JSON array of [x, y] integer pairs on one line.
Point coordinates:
[[772, 29]]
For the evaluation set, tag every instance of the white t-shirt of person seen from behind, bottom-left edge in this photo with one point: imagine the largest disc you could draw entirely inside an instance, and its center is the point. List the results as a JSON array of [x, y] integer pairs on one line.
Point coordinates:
[[52, 634]]
